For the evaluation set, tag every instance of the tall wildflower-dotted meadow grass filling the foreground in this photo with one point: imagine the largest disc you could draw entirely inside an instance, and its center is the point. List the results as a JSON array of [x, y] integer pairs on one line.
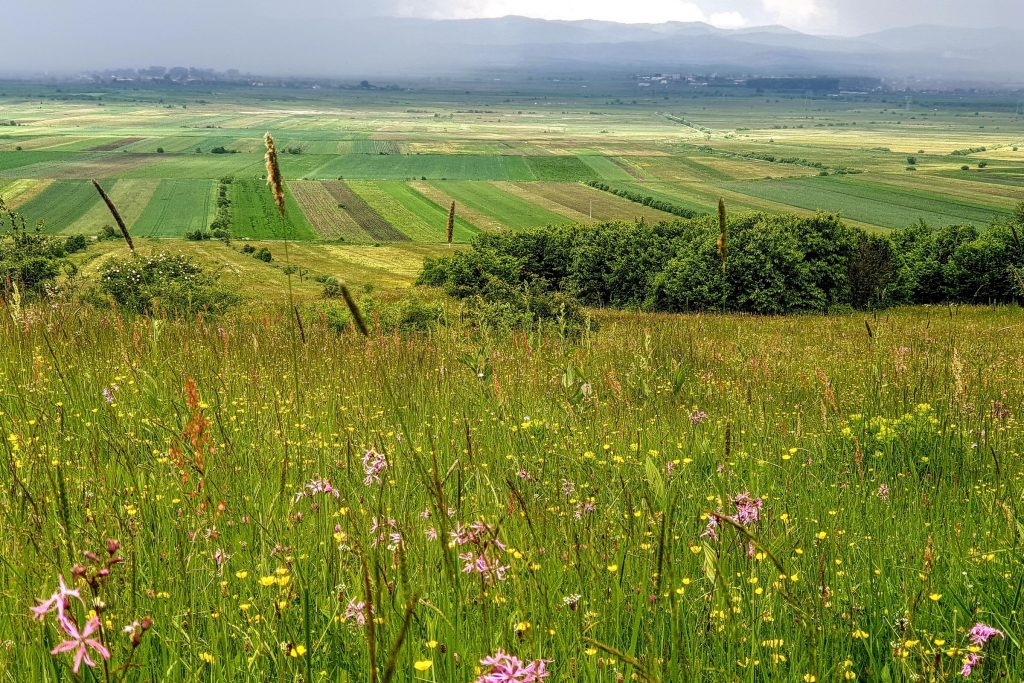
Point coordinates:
[[888, 469]]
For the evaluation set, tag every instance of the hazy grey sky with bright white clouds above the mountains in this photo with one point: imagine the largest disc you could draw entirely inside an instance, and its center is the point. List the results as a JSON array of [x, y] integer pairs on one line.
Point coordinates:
[[71, 35]]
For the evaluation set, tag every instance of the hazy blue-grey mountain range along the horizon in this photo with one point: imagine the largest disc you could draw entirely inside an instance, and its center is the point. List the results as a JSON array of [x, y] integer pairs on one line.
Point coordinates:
[[923, 52]]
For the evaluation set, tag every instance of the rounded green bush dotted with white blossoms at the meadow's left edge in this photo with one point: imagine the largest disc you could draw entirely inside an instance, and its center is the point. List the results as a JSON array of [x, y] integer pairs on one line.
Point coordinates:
[[170, 283]]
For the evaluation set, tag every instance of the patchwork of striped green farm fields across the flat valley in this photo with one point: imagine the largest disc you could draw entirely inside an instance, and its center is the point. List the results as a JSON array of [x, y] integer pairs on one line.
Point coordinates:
[[510, 162]]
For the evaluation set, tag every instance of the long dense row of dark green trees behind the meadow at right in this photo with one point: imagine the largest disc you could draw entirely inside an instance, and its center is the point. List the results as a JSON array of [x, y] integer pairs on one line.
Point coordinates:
[[774, 265]]
